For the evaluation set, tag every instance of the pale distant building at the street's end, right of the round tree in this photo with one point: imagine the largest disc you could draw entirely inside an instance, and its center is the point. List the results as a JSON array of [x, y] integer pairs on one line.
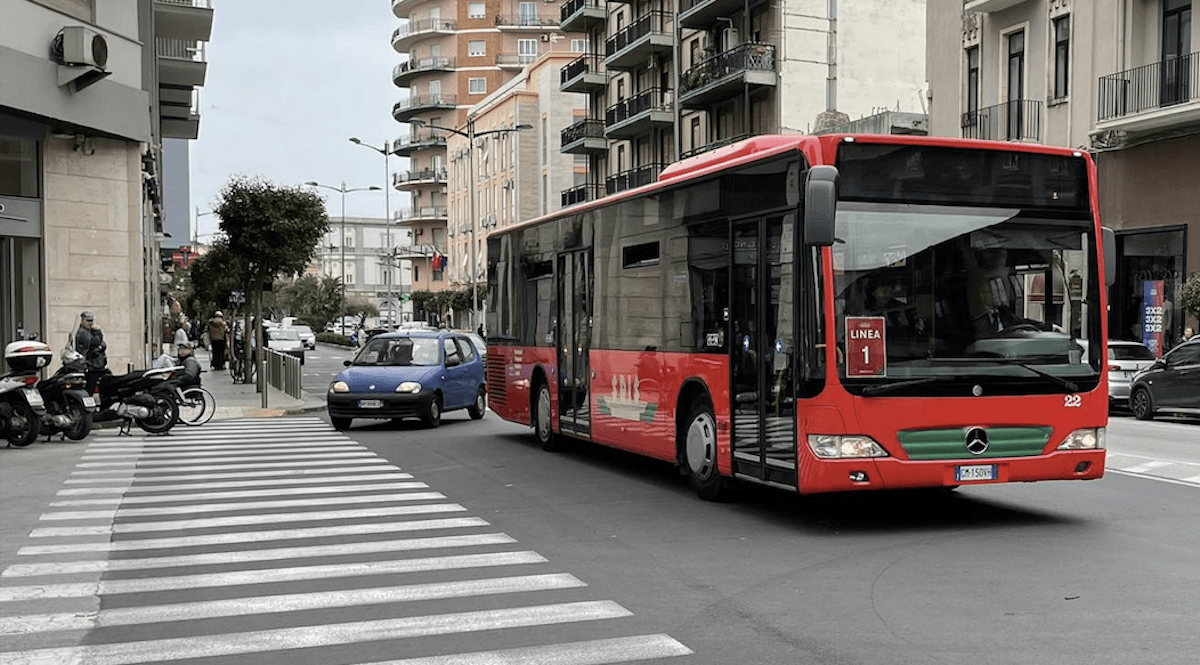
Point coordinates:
[[368, 255]]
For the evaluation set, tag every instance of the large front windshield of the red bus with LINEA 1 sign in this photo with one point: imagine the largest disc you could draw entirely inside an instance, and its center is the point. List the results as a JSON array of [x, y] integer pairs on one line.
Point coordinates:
[[962, 297]]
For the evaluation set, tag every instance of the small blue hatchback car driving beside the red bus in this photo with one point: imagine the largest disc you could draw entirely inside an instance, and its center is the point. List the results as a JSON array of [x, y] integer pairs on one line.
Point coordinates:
[[412, 374]]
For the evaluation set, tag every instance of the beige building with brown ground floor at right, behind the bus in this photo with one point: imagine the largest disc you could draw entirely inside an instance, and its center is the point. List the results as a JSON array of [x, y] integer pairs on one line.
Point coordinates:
[[1119, 79]]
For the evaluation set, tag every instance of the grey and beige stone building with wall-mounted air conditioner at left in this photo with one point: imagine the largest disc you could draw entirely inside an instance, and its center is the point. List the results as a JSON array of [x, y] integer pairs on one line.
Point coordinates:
[[89, 92]]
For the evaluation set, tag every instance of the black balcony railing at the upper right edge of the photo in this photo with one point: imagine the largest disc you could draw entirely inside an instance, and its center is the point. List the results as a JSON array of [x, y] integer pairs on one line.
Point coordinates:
[[1150, 87]]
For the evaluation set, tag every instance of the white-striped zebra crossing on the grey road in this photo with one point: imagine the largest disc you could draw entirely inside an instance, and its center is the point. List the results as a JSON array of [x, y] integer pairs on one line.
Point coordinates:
[[268, 541]]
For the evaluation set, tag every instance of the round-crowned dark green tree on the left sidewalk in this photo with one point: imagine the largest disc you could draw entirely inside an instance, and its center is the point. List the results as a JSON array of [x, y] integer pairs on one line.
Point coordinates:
[[269, 231]]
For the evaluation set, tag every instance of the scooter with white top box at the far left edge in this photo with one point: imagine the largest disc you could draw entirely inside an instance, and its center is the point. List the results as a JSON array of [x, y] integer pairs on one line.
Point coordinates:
[[21, 405]]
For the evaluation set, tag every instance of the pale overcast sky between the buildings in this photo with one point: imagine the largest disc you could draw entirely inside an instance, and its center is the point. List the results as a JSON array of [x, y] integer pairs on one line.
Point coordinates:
[[289, 83]]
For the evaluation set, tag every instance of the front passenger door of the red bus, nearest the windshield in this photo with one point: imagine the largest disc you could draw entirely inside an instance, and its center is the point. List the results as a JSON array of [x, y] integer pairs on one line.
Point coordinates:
[[763, 349]]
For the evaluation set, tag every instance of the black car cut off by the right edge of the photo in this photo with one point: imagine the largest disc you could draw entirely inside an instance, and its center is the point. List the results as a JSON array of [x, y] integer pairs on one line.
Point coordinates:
[[1171, 385]]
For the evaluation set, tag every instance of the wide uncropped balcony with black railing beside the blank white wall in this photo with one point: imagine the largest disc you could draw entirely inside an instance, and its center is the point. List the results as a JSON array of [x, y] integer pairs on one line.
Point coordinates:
[[728, 75]]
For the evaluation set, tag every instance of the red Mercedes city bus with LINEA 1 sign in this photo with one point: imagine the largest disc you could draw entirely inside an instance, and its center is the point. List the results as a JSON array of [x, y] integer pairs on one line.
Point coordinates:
[[819, 315]]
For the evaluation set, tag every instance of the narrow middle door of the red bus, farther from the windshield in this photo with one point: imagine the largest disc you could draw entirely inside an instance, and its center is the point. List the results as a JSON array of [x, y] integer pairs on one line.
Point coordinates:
[[574, 339]]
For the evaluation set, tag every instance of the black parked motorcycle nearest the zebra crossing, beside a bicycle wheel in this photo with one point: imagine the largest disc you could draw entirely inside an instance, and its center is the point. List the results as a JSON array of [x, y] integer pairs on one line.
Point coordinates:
[[142, 397]]
